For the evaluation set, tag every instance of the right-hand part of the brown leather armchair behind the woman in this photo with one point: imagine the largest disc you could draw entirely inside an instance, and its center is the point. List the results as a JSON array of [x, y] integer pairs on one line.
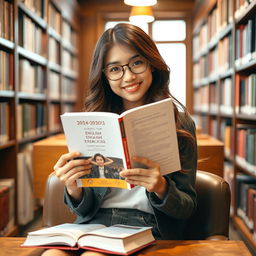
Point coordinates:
[[211, 218]]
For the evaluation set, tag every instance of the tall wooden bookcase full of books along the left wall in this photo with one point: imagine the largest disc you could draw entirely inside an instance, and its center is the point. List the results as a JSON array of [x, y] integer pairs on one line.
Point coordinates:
[[38, 82]]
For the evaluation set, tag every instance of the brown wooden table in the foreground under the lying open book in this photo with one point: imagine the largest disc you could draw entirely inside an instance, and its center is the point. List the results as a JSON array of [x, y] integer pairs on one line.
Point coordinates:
[[10, 246]]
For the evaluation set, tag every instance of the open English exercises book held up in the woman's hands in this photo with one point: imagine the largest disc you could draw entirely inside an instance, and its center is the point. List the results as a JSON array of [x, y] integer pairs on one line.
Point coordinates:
[[147, 131]]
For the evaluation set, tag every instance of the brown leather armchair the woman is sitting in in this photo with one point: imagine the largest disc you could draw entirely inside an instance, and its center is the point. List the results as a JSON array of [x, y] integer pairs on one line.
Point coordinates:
[[210, 220]]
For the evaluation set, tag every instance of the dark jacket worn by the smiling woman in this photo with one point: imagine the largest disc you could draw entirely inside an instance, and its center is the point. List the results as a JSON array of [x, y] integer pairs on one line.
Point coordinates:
[[171, 212]]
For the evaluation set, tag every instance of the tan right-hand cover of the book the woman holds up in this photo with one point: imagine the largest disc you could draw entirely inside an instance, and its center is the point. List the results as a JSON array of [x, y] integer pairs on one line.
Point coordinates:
[[151, 133]]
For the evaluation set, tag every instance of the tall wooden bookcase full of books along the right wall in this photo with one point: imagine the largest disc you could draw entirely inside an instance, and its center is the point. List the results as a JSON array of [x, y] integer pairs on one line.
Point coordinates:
[[224, 84]]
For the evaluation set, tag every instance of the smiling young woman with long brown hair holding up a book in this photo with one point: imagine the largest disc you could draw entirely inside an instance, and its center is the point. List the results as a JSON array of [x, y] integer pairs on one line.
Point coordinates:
[[127, 71]]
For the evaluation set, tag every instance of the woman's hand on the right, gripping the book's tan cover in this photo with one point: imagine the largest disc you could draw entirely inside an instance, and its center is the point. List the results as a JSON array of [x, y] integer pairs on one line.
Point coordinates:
[[151, 178]]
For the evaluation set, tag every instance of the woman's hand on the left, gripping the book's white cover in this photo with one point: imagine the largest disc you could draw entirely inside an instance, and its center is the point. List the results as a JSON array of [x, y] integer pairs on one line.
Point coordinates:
[[68, 170]]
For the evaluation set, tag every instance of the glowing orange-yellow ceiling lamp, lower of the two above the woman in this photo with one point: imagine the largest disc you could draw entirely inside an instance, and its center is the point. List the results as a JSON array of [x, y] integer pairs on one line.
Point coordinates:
[[141, 14]]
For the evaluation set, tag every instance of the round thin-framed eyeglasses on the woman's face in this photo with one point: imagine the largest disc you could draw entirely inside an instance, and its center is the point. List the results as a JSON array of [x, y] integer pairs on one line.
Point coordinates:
[[115, 72]]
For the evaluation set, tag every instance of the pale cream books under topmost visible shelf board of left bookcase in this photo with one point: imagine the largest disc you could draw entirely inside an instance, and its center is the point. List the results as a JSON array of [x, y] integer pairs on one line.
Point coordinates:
[[31, 36]]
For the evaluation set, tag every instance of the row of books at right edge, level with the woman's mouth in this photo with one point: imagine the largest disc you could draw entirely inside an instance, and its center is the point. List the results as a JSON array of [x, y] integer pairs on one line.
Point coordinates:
[[246, 89]]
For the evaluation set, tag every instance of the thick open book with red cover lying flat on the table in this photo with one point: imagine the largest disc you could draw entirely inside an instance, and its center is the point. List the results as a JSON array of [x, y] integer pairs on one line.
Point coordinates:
[[116, 239]]
